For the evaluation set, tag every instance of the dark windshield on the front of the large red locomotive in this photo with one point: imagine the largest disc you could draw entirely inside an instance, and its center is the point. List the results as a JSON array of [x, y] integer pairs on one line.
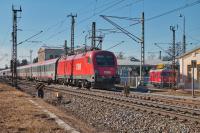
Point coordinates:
[[105, 60]]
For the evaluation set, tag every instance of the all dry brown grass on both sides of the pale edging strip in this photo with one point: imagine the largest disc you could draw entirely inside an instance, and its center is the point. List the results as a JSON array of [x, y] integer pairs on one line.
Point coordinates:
[[19, 115]]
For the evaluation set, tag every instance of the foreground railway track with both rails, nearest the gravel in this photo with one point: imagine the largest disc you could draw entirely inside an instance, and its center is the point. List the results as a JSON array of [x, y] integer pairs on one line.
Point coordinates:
[[183, 113]]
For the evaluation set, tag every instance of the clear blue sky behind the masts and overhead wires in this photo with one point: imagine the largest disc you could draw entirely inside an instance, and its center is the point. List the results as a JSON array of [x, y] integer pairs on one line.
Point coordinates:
[[51, 17]]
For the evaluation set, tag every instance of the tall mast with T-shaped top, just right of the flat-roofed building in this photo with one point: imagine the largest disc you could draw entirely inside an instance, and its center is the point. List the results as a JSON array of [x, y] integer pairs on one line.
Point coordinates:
[[72, 31]]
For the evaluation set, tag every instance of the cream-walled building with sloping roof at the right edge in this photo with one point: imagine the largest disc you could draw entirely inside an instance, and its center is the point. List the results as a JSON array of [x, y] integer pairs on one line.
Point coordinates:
[[186, 68]]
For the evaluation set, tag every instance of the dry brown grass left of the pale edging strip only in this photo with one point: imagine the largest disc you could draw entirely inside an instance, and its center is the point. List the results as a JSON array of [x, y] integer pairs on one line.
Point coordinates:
[[17, 114]]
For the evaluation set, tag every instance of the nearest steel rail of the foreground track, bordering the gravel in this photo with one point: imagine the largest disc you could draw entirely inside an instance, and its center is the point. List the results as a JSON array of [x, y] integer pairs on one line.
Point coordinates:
[[135, 106]]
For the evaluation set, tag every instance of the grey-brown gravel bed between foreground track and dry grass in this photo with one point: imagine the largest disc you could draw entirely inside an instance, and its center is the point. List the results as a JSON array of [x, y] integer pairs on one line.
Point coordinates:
[[105, 117]]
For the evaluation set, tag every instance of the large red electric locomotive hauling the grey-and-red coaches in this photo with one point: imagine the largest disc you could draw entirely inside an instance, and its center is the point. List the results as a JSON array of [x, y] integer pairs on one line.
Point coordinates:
[[91, 69]]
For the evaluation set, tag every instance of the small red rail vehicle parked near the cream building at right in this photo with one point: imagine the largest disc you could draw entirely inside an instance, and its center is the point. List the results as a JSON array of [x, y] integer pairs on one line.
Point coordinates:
[[162, 77]]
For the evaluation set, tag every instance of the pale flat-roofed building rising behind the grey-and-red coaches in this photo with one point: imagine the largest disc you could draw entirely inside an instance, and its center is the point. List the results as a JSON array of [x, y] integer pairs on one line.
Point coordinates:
[[46, 53]]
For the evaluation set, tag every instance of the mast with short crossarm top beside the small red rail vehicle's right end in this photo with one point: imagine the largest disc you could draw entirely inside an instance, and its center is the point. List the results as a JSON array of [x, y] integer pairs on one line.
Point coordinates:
[[173, 29]]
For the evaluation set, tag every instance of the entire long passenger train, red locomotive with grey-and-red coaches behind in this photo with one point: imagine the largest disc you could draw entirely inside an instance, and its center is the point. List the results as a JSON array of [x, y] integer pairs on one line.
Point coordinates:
[[90, 69]]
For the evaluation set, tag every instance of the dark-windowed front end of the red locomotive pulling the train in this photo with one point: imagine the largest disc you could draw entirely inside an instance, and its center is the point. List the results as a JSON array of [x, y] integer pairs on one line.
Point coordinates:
[[105, 68]]
